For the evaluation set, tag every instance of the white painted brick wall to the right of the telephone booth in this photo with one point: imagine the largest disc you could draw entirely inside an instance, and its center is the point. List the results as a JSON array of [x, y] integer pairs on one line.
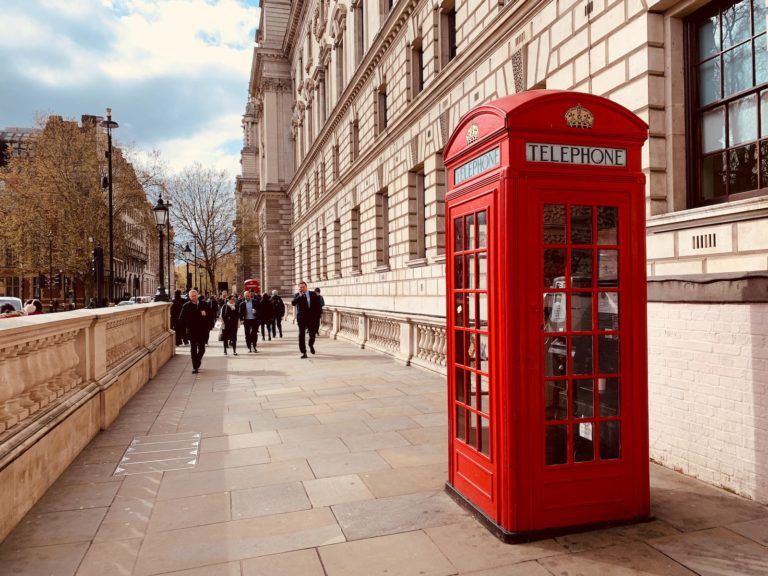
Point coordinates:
[[708, 392]]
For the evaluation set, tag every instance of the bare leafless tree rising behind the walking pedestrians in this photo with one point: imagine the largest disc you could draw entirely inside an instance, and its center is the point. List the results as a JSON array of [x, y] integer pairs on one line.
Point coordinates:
[[203, 211]]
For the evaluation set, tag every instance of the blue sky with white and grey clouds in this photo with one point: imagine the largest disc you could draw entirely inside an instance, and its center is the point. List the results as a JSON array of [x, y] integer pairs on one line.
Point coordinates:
[[174, 72]]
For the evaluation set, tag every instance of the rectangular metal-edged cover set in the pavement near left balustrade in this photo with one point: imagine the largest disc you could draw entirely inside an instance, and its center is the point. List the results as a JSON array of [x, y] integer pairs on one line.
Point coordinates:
[[160, 453]]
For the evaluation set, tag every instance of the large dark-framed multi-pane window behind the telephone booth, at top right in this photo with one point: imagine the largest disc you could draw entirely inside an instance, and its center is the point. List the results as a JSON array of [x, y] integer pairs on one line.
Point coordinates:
[[727, 92]]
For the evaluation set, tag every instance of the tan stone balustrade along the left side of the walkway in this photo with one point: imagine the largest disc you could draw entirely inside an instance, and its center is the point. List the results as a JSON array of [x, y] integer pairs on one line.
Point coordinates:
[[64, 377]]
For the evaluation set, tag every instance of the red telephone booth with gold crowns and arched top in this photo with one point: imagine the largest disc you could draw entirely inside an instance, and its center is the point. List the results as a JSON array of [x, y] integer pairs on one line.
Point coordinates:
[[546, 314]]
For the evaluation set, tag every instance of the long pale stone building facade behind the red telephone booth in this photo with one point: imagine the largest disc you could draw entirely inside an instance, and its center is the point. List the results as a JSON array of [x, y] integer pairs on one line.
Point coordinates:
[[352, 101]]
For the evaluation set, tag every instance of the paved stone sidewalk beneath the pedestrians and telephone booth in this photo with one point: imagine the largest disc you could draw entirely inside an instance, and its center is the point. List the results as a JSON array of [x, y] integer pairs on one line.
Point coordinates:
[[334, 466]]
